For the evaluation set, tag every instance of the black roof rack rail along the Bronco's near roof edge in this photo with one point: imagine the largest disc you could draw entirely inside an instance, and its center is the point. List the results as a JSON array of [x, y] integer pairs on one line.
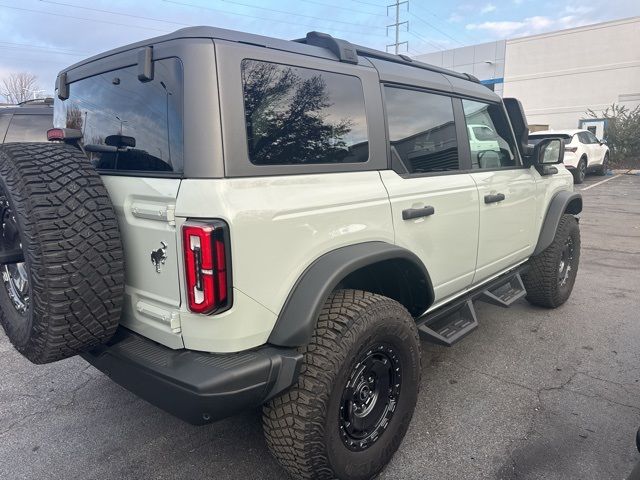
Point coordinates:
[[348, 52]]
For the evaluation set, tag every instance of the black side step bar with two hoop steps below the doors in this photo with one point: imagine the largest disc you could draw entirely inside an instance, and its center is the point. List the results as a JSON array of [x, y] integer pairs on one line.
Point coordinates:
[[451, 323]]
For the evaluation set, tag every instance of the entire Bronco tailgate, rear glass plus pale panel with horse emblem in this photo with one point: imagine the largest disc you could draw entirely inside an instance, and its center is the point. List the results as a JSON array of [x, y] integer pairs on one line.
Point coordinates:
[[133, 134]]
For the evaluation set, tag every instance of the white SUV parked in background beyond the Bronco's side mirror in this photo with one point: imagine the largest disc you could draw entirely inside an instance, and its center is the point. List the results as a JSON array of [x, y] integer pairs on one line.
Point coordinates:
[[584, 153]]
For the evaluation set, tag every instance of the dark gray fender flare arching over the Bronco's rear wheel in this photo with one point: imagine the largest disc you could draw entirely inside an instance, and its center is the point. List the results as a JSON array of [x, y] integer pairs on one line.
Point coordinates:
[[298, 316]]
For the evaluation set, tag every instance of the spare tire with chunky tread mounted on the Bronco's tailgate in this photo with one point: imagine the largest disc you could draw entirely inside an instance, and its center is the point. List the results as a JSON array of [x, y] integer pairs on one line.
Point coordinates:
[[61, 258]]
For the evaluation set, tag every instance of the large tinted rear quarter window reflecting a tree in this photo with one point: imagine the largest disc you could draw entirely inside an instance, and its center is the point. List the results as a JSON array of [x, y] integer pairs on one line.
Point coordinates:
[[298, 115]]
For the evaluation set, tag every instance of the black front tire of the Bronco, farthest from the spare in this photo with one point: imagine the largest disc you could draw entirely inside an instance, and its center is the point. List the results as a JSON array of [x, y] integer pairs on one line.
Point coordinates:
[[542, 280]]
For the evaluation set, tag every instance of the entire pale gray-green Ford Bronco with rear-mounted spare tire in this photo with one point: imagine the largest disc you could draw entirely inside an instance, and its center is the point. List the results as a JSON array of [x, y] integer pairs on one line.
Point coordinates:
[[222, 221]]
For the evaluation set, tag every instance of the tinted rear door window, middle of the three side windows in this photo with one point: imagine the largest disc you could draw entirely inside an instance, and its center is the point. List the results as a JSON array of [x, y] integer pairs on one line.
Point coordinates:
[[422, 131]]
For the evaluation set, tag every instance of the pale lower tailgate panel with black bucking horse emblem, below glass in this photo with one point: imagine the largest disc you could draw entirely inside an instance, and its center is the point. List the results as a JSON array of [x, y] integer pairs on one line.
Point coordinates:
[[152, 294]]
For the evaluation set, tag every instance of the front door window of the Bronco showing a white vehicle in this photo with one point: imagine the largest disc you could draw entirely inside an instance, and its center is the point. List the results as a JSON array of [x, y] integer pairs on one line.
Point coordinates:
[[495, 147]]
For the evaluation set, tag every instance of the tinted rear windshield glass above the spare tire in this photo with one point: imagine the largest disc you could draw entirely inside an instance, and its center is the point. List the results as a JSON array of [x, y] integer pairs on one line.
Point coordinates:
[[128, 124]]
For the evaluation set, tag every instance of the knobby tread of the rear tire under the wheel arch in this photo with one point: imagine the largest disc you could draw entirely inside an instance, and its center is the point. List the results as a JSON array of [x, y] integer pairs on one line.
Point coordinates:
[[294, 421]]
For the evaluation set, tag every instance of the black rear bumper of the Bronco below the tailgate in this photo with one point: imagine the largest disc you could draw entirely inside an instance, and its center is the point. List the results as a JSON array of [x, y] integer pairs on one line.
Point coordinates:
[[195, 386]]
